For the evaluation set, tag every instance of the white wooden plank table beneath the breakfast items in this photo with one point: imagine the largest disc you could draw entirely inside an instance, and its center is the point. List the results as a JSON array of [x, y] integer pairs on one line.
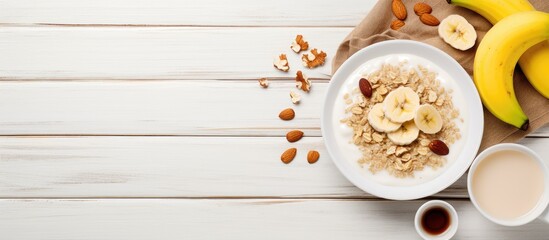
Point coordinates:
[[131, 119]]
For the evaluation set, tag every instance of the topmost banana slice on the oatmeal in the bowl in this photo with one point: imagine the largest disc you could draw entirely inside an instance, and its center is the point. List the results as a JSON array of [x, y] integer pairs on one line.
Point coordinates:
[[400, 105]]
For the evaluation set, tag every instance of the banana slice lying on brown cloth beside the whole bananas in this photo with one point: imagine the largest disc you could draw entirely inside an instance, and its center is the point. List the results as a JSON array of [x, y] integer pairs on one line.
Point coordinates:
[[456, 31]]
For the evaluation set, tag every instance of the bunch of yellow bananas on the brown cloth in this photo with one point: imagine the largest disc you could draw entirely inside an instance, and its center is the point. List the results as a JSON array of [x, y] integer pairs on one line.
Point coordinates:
[[520, 34]]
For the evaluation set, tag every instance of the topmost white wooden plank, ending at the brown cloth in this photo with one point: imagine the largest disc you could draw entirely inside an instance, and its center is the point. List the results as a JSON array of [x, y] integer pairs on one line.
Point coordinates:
[[196, 13]]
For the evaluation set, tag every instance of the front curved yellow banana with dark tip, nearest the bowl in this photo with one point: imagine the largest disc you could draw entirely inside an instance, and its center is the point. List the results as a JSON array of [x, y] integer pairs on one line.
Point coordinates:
[[496, 58]]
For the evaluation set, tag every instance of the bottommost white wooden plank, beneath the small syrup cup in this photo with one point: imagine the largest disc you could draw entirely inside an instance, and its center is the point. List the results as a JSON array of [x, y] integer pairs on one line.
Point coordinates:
[[235, 219]]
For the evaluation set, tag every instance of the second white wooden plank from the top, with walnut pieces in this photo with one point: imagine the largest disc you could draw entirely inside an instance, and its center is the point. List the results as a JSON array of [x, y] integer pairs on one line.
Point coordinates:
[[156, 53]]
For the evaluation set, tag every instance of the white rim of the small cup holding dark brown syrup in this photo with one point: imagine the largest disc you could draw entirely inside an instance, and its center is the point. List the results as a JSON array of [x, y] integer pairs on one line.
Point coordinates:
[[454, 220]]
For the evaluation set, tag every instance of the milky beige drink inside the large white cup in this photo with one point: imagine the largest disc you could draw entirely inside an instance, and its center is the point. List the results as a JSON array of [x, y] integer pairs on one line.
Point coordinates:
[[508, 184]]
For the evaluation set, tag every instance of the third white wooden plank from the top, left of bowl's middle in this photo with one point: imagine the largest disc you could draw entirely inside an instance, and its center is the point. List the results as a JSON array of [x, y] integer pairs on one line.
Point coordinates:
[[158, 108]]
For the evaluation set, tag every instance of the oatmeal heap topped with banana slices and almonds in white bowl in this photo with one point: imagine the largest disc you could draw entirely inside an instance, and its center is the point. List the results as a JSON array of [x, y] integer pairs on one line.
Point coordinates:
[[403, 119]]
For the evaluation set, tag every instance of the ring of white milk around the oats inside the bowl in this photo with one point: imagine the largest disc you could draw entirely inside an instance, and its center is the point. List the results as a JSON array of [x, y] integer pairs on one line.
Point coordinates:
[[345, 133]]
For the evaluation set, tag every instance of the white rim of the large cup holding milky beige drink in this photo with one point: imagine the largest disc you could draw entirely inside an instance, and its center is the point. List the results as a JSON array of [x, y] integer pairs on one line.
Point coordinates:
[[543, 201]]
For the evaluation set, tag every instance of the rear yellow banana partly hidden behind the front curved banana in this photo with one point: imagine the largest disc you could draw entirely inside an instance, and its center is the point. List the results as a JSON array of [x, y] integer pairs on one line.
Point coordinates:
[[534, 61]]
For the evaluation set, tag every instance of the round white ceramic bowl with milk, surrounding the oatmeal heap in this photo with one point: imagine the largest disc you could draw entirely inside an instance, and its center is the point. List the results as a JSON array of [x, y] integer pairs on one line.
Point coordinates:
[[458, 160]]
